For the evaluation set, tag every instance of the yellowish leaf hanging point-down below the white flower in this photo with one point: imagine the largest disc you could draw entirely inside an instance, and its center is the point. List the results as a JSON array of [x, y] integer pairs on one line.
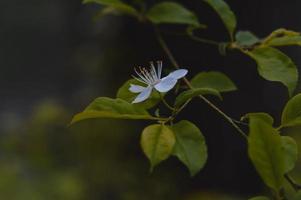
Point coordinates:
[[157, 142]]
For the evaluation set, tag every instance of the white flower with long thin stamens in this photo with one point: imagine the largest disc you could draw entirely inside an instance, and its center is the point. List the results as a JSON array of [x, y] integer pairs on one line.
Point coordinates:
[[152, 78]]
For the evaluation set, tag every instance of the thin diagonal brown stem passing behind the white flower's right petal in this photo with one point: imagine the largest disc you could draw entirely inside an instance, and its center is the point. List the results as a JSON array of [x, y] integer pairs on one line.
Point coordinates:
[[176, 65]]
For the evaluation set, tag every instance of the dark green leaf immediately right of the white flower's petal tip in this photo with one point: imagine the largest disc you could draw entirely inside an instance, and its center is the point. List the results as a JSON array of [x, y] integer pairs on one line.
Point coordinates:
[[214, 80]]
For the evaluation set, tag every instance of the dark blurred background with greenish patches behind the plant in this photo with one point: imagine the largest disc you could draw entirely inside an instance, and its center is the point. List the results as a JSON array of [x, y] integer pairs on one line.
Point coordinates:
[[55, 58]]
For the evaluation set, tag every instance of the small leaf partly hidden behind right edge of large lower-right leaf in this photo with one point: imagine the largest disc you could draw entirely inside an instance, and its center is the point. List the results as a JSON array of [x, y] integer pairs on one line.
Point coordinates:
[[290, 149]]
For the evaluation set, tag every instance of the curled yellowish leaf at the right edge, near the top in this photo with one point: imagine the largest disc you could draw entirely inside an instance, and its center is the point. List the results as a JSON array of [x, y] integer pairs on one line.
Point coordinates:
[[283, 37]]
